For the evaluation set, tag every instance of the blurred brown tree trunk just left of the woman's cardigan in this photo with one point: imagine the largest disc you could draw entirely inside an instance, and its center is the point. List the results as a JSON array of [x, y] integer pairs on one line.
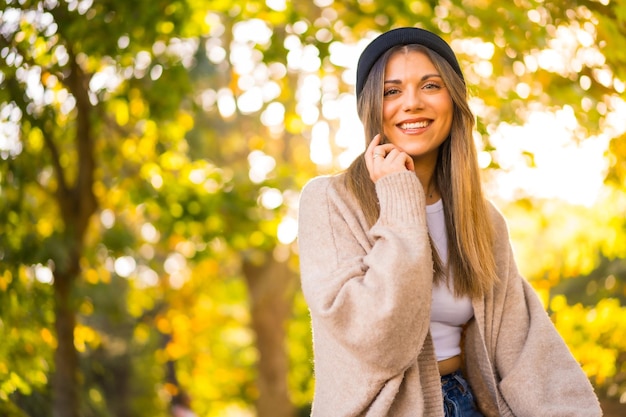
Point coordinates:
[[272, 288]]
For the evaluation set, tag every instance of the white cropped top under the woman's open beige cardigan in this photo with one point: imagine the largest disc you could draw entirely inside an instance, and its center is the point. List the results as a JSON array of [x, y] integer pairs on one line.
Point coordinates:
[[448, 313]]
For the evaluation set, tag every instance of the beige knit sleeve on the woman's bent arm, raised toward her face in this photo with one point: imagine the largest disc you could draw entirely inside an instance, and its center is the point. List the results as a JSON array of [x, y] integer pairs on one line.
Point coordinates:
[[368, 290]]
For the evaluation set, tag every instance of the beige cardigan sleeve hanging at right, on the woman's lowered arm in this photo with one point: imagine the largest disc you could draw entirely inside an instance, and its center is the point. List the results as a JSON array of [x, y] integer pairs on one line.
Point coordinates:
[[538, 374]]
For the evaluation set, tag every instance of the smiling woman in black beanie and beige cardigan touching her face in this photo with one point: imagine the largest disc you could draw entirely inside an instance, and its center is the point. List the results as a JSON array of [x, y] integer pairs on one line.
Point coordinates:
[[401, 256]]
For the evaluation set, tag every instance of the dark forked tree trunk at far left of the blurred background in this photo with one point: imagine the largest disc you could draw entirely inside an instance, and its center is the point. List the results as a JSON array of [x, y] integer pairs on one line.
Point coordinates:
[[77, 203]]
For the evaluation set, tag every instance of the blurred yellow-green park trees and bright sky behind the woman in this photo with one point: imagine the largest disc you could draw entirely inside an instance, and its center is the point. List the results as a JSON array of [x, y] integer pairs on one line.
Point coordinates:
[[151, 157]]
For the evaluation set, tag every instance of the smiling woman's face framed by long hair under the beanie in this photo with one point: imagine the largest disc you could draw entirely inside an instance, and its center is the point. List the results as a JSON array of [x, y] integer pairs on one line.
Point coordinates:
[[417, 107]]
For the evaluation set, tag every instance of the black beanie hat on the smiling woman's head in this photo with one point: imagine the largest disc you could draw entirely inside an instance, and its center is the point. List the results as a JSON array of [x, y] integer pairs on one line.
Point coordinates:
[[401, 36]]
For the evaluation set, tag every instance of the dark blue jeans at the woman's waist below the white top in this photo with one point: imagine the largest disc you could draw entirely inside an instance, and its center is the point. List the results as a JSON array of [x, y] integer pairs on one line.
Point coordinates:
[[458, 400]]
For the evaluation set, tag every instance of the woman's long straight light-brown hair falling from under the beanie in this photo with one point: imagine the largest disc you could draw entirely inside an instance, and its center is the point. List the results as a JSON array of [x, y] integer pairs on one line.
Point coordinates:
[[468, 227]]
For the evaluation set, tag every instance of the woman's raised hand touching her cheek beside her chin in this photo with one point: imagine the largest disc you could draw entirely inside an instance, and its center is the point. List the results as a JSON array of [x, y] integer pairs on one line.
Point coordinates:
[[385, 159]]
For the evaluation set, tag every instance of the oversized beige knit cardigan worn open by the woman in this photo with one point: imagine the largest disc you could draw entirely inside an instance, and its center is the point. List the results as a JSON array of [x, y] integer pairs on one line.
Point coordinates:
[[369, 295]]
